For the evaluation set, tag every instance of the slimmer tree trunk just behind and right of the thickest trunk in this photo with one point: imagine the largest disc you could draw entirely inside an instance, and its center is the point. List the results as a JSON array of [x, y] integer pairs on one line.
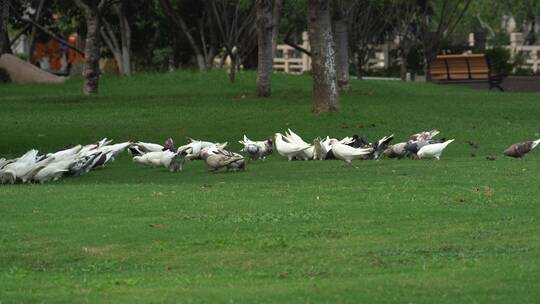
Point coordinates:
[[341, 34]]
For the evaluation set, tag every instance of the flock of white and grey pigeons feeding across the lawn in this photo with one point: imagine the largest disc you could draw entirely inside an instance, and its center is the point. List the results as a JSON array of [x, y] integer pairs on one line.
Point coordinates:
[[77, 160]]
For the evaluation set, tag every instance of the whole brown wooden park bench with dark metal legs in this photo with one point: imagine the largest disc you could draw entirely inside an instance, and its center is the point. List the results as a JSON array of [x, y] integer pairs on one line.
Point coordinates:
[[465, 68]]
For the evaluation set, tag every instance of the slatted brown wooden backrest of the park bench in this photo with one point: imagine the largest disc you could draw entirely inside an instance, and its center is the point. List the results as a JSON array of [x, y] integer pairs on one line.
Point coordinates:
[[460, 67]]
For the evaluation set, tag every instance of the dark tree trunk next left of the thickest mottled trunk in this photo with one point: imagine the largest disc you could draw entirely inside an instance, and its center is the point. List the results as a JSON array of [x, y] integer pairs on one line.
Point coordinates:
[[265, 51]]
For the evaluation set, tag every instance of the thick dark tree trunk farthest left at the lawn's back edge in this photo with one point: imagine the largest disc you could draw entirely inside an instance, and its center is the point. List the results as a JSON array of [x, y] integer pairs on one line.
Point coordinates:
[[91, 71]]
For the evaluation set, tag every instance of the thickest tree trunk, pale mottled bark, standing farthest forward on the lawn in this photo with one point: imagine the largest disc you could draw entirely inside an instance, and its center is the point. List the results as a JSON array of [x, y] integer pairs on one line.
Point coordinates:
[[325, 94]]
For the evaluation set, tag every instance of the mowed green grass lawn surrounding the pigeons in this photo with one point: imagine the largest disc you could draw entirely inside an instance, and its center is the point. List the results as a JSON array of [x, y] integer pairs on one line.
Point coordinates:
[[460, 230]]
